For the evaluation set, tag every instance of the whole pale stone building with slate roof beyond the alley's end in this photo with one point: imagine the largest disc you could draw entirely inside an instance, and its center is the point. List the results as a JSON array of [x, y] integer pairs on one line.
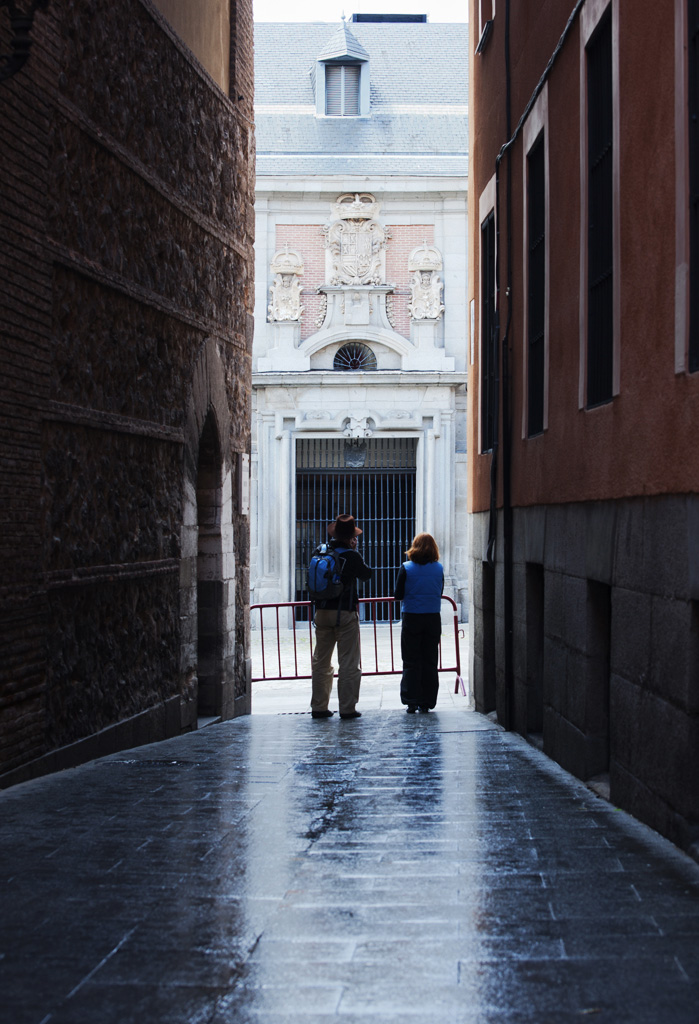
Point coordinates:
[[362, 332]]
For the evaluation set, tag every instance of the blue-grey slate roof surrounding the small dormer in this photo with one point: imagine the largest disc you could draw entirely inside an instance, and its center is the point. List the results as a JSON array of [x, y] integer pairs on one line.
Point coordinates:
[[419, 98]]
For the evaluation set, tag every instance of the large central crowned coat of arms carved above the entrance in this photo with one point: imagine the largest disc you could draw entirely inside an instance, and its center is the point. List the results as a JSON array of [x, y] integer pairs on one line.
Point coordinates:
[[357, 241]]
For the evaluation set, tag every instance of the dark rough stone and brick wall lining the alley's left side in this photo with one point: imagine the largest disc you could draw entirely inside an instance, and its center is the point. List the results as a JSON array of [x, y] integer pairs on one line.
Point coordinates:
[[129, 187]]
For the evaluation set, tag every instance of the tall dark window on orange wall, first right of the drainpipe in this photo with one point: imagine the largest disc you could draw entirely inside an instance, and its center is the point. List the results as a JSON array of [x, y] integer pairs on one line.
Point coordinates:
[[537, 279]]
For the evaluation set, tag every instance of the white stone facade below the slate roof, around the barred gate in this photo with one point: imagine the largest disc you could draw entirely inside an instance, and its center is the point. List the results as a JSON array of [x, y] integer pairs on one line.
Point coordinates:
[[418, 390]]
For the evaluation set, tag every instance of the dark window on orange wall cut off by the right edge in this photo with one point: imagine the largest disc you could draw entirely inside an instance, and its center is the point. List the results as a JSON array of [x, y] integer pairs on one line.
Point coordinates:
[[693, 112]]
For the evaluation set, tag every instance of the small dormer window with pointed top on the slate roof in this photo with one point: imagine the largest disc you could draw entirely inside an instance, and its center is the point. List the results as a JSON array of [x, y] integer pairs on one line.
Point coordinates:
[[341, 78]]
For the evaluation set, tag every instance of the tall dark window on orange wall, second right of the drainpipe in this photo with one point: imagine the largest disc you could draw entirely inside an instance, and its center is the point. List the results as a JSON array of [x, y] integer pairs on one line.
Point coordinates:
[[600, 217]]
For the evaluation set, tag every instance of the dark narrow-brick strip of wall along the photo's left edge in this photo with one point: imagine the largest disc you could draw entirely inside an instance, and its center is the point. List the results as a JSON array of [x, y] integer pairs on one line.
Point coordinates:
[[25, 372]]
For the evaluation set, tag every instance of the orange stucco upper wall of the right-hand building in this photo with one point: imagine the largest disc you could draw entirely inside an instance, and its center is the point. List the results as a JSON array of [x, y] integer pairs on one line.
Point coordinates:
[[644, 442]]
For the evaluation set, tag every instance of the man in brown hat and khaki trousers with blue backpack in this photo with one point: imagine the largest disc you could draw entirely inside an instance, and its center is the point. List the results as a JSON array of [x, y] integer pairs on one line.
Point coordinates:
[[337, 619]]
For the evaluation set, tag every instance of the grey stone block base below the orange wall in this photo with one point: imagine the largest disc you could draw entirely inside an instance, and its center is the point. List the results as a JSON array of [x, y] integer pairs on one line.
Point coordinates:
[[606, 659]]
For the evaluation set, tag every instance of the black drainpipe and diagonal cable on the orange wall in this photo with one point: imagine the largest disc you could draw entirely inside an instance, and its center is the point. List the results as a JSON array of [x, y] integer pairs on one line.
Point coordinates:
[[504, 361]]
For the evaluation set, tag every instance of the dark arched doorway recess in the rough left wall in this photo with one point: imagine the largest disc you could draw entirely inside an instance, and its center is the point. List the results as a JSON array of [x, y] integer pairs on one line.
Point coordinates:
[[210, 589]]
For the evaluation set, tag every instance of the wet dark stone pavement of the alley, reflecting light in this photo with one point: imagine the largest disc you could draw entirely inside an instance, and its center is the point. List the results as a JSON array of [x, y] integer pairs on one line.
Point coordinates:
[[392, 869]]
